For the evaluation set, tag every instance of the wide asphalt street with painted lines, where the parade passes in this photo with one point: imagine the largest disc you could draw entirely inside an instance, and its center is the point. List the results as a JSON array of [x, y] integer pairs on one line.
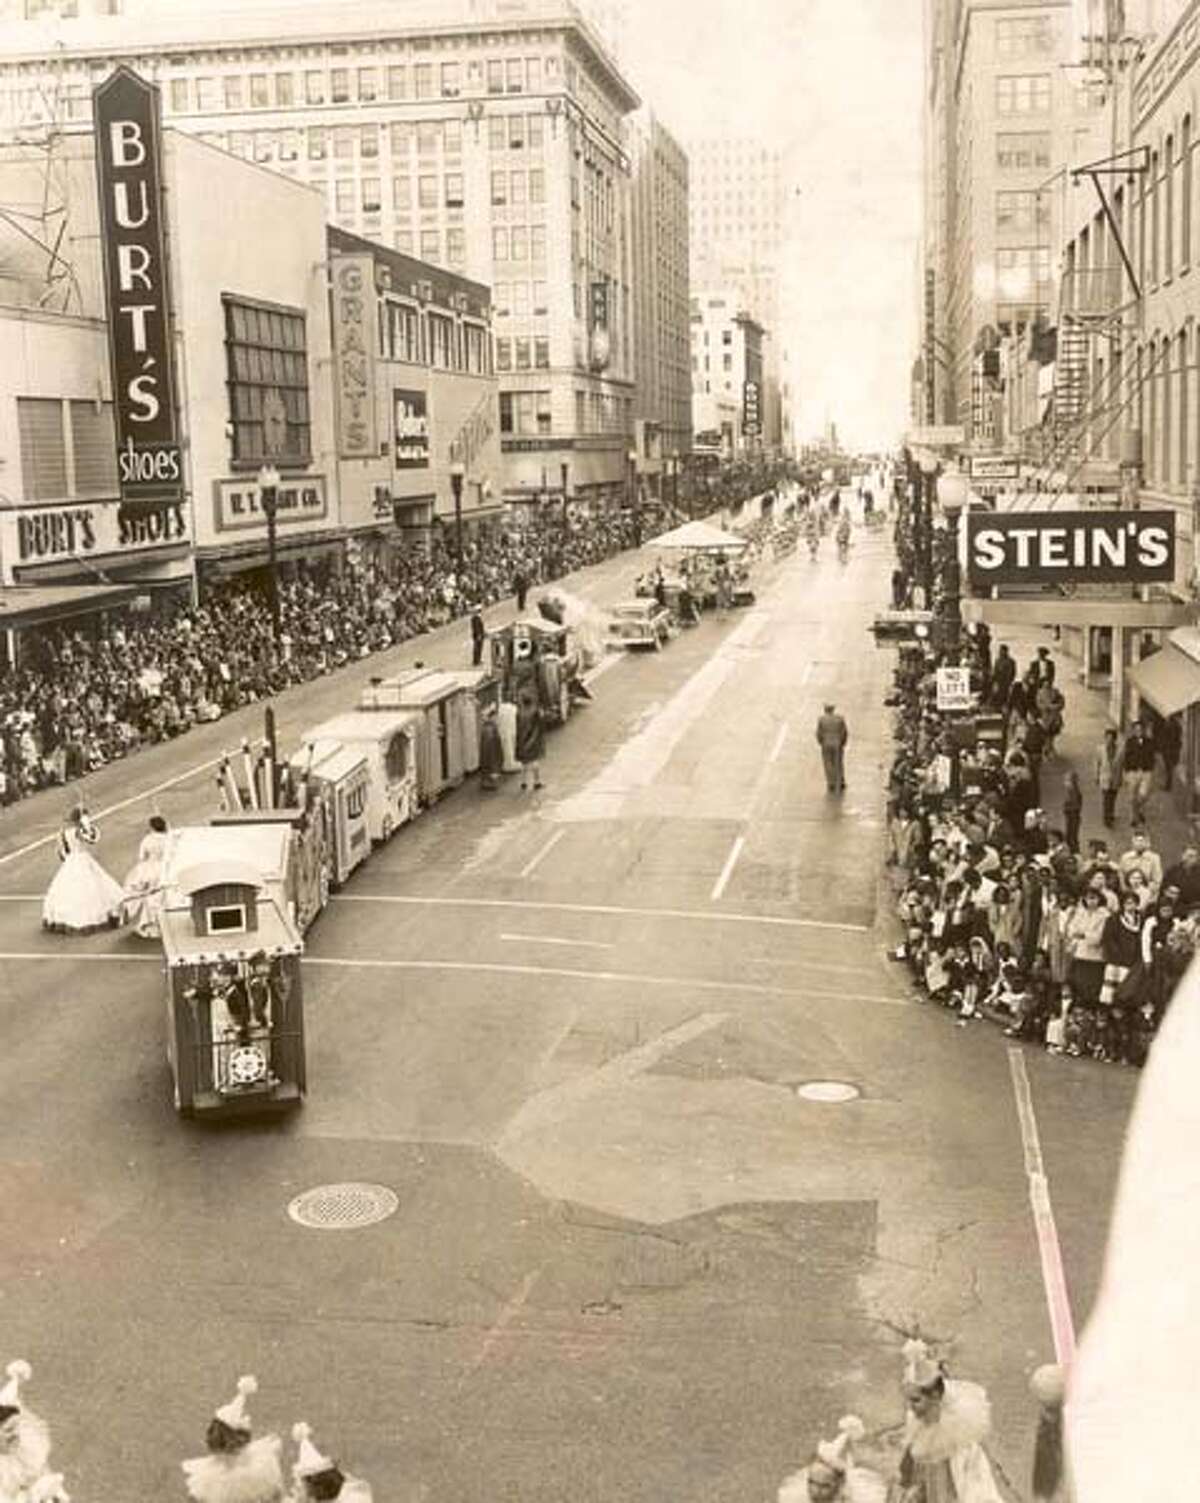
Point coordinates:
[[568, 1032]]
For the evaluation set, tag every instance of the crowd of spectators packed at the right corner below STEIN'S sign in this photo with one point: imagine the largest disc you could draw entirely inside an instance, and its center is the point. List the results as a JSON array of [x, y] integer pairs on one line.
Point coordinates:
[[1005, 919]]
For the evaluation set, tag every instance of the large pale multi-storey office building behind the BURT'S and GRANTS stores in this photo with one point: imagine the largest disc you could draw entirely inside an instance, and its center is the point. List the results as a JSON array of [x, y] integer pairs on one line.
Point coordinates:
[[486, 138]]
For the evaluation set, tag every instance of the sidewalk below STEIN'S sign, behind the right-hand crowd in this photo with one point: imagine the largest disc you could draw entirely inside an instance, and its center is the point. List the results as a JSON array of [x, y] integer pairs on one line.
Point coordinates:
[[1085, 722]]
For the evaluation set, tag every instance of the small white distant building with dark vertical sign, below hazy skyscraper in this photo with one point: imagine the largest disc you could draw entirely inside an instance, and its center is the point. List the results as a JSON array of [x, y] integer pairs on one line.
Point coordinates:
[[727, 355]]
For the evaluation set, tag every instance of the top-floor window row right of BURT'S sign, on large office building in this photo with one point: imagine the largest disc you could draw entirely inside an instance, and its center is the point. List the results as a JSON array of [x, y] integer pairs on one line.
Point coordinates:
[[395, 83]]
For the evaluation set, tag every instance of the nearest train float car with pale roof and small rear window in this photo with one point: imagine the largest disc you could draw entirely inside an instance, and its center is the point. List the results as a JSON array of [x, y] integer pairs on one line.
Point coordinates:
[[235, 999]]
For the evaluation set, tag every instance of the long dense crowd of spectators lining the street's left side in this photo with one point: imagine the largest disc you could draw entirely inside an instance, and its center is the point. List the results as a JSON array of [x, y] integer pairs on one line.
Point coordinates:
[[88, 694]]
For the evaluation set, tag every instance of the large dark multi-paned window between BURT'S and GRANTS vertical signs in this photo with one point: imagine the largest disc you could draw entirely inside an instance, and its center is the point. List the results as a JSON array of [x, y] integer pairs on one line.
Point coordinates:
[[267, 352]]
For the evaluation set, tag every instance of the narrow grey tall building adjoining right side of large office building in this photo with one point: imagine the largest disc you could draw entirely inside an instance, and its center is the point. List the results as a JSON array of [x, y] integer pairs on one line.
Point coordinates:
[[661, 300]]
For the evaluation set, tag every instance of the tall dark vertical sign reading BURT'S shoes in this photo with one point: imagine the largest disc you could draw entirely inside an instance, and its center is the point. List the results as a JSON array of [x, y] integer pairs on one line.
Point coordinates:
[[130, 177]]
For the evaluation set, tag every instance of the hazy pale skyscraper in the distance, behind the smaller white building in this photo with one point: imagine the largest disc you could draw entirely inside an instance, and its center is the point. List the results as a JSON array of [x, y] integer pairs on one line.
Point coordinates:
[[739, 222]]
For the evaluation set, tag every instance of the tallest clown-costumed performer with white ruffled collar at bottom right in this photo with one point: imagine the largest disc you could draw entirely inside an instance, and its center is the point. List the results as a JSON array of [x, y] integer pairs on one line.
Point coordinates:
[[944, 1436]]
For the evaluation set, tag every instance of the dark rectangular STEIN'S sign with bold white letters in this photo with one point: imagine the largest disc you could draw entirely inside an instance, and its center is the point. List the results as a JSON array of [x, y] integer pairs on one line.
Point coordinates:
[[1071, 548]]
